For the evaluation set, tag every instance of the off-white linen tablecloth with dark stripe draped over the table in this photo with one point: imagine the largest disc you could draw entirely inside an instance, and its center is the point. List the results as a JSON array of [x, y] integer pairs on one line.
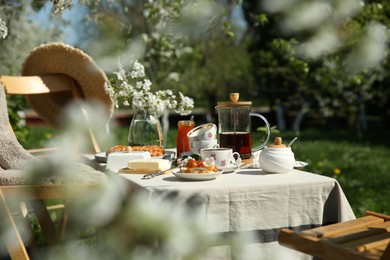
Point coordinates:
[[250, 201]]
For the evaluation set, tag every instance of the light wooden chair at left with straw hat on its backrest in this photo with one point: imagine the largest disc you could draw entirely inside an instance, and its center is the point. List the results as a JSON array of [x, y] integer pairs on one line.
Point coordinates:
[[18, 201]]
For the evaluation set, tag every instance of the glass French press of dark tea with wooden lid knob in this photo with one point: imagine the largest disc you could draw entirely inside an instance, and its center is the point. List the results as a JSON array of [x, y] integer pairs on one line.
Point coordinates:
[[234, 126]]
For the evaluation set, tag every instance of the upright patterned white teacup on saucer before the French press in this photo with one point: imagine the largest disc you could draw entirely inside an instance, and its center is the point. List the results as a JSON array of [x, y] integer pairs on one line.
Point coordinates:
[[223, 157]]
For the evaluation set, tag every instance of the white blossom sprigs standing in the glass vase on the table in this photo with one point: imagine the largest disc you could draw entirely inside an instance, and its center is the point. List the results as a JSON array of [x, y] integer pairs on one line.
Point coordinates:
[[132, 88]]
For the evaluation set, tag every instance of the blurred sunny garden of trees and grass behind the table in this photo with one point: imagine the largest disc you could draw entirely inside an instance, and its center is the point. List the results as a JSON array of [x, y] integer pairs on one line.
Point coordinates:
[[318, 70]]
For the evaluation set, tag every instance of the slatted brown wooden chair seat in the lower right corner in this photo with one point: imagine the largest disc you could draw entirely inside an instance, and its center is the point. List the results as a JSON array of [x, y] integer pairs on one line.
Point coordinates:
[[367, 237]]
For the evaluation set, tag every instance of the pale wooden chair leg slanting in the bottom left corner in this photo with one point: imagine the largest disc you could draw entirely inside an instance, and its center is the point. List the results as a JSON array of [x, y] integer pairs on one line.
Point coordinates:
[[12, 238]]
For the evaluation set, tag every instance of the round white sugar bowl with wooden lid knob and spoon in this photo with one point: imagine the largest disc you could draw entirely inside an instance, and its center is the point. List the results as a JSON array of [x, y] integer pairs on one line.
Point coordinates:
[[277, 158]]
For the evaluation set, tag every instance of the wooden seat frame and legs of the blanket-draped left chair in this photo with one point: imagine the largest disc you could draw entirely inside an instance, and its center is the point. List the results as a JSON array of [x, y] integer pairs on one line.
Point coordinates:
[[15, 239]]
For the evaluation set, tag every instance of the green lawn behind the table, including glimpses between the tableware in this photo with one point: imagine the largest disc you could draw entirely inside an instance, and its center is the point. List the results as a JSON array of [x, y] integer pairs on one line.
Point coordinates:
[[361, 166]]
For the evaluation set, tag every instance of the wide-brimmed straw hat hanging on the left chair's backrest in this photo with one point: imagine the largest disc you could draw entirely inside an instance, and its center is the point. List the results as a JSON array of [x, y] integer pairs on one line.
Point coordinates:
[[59, 58]]
